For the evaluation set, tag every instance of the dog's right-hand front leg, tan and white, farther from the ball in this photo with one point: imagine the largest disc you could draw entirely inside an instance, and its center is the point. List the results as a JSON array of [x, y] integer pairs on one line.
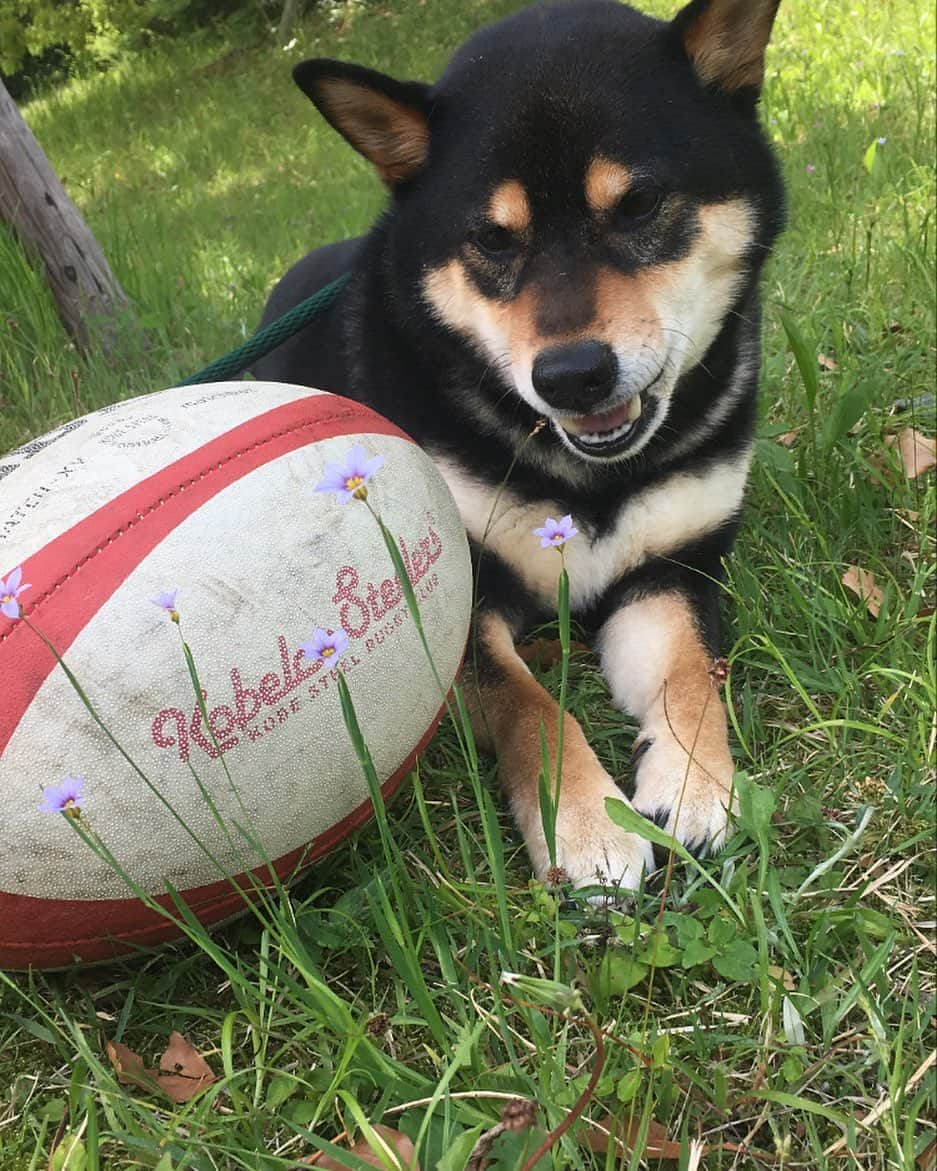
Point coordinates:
[[660, 669]]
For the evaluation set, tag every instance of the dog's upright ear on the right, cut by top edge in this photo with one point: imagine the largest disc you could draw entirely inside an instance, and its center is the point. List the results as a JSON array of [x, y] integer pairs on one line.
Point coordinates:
[[726, 42]]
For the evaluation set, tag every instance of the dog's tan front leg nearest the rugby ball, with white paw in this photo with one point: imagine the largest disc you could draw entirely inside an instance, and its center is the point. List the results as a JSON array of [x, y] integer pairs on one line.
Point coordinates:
[[510, 715]]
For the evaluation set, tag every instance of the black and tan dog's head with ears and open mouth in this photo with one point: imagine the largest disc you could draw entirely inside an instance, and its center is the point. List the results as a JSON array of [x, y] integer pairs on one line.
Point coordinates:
[[583, 197]]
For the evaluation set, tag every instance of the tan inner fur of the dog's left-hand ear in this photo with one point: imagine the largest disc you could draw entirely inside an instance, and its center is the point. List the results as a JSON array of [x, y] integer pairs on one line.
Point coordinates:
[[392, 136]]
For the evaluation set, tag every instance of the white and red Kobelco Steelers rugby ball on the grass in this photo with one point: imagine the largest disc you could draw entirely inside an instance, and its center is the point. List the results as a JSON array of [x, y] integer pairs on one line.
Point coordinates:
[[217, 506]]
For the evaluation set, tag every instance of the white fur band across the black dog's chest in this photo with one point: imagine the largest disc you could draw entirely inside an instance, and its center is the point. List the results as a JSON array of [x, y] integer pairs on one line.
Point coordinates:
[[655, 523]]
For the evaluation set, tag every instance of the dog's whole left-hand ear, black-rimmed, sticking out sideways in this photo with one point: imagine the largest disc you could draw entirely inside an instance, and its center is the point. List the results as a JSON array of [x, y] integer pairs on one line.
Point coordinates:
[[386, 121]]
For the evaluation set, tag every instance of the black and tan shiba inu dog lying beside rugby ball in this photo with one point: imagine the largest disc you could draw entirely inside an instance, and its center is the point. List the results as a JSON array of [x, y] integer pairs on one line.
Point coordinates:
[[565, 287]]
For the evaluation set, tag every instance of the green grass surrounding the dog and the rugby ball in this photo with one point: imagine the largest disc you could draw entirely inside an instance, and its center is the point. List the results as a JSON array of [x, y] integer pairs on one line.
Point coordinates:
[[792, 1005]]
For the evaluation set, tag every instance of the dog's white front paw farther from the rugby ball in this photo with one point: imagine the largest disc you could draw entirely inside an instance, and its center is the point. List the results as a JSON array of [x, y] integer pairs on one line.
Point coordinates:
[[688, 800]]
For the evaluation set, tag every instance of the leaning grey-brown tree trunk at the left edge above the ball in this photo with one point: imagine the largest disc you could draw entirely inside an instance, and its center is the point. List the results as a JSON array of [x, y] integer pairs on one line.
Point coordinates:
[[91, 303]]
